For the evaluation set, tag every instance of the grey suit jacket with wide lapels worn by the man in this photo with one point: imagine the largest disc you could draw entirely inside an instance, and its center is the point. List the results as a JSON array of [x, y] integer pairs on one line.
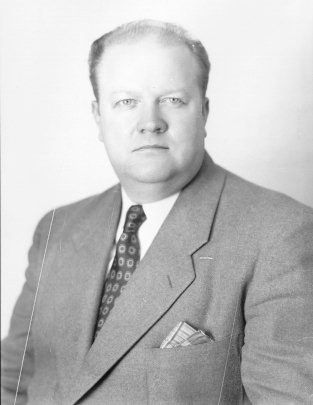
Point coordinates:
[[232, 259]]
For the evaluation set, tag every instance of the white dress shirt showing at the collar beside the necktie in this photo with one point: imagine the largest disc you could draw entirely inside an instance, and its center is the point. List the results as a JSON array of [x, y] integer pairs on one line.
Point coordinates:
[[156, 212]]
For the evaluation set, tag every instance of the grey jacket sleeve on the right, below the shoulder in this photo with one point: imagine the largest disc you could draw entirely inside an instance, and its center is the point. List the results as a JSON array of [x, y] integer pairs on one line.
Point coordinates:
[[277, 356]]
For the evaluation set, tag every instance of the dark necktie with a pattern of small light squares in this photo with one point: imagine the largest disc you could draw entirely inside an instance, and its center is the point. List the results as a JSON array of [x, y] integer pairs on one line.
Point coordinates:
[[124, 264]]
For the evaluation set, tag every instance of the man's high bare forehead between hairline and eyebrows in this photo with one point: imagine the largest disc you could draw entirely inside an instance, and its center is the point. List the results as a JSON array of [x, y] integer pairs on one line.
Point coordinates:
[[147, 61]]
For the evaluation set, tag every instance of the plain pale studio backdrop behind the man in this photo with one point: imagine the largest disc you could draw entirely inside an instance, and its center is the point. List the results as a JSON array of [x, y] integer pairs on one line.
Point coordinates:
[[261, 96]]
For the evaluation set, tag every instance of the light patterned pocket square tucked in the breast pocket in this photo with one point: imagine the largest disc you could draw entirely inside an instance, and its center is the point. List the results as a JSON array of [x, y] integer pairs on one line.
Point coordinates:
[[184, 335]]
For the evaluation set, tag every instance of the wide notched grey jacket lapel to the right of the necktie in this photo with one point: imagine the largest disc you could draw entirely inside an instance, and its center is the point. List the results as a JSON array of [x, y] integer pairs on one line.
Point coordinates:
[[162, 276]]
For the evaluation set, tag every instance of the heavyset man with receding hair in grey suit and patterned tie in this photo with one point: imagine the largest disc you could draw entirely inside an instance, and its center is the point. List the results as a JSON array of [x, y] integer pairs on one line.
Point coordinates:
[[199, 246]]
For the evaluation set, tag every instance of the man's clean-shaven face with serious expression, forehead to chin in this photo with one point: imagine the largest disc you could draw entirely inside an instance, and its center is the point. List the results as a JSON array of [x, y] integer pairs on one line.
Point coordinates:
[[151, 113]]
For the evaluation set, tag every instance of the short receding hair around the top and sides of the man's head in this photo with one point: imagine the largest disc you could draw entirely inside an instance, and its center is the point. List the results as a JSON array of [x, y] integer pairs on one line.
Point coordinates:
[[167, 33]]
